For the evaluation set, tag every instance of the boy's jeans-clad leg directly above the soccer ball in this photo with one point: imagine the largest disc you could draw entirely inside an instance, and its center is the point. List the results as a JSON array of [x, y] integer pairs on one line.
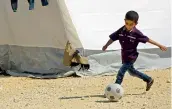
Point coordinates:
[[121, 72]]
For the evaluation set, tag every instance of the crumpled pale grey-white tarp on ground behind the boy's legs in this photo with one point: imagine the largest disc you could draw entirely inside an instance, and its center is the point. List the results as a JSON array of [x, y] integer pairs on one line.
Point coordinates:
[[109, 63]]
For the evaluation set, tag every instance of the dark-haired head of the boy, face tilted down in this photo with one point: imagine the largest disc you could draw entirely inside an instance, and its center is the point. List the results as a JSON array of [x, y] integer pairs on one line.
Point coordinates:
[[131, 20]]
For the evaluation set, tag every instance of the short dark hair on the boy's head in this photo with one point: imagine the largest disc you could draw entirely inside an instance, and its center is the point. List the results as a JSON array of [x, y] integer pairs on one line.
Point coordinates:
[[132, 15]]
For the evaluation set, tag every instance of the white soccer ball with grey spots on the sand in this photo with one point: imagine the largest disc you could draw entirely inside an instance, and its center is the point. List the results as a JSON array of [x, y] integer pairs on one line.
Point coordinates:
[[114, 92]]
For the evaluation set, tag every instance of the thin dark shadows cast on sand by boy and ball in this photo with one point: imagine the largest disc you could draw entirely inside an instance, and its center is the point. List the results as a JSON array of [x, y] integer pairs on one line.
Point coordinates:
[[98, 96]]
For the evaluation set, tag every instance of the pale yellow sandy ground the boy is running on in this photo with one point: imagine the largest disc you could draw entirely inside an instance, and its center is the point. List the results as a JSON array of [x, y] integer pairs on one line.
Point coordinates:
[[84, 93]]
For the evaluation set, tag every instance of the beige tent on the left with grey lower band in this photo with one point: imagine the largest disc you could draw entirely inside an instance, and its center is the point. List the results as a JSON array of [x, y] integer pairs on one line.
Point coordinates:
[[32, 42]]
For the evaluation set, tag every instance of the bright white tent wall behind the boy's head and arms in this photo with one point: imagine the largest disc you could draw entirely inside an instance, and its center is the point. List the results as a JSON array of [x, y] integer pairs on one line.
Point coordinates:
[[96, 19]]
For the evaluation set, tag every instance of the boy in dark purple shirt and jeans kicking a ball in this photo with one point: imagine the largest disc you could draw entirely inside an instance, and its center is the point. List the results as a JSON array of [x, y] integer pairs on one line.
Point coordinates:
[[129, 37]]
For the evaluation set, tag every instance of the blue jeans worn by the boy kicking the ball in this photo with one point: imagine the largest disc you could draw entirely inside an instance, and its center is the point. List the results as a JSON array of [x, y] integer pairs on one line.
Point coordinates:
[[130, 68]]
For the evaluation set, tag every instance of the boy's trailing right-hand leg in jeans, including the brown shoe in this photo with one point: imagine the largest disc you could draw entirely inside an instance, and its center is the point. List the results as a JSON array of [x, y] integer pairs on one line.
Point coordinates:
[[142, 76]]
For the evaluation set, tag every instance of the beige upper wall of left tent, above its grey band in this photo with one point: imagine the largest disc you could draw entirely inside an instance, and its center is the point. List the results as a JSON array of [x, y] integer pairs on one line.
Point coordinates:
[[49, 26]]
